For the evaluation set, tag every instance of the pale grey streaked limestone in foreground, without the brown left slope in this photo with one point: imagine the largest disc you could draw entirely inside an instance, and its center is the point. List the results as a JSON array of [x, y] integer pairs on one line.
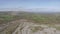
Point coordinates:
[[32, 28]]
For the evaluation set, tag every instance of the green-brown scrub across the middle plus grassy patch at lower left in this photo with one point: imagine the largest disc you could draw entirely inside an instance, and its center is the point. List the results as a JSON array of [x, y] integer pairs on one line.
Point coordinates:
[[40, 18]]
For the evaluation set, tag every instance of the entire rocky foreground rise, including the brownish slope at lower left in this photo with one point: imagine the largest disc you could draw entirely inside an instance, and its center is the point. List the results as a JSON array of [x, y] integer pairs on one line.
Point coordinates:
[[28, 27]]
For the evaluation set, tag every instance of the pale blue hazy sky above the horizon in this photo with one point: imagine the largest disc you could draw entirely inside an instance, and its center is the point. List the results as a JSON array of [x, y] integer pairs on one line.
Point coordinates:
[[41, 5]]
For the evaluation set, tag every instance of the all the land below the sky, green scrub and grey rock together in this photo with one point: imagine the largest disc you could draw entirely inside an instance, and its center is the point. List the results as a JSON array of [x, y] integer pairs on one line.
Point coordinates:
[[29, 23]]
